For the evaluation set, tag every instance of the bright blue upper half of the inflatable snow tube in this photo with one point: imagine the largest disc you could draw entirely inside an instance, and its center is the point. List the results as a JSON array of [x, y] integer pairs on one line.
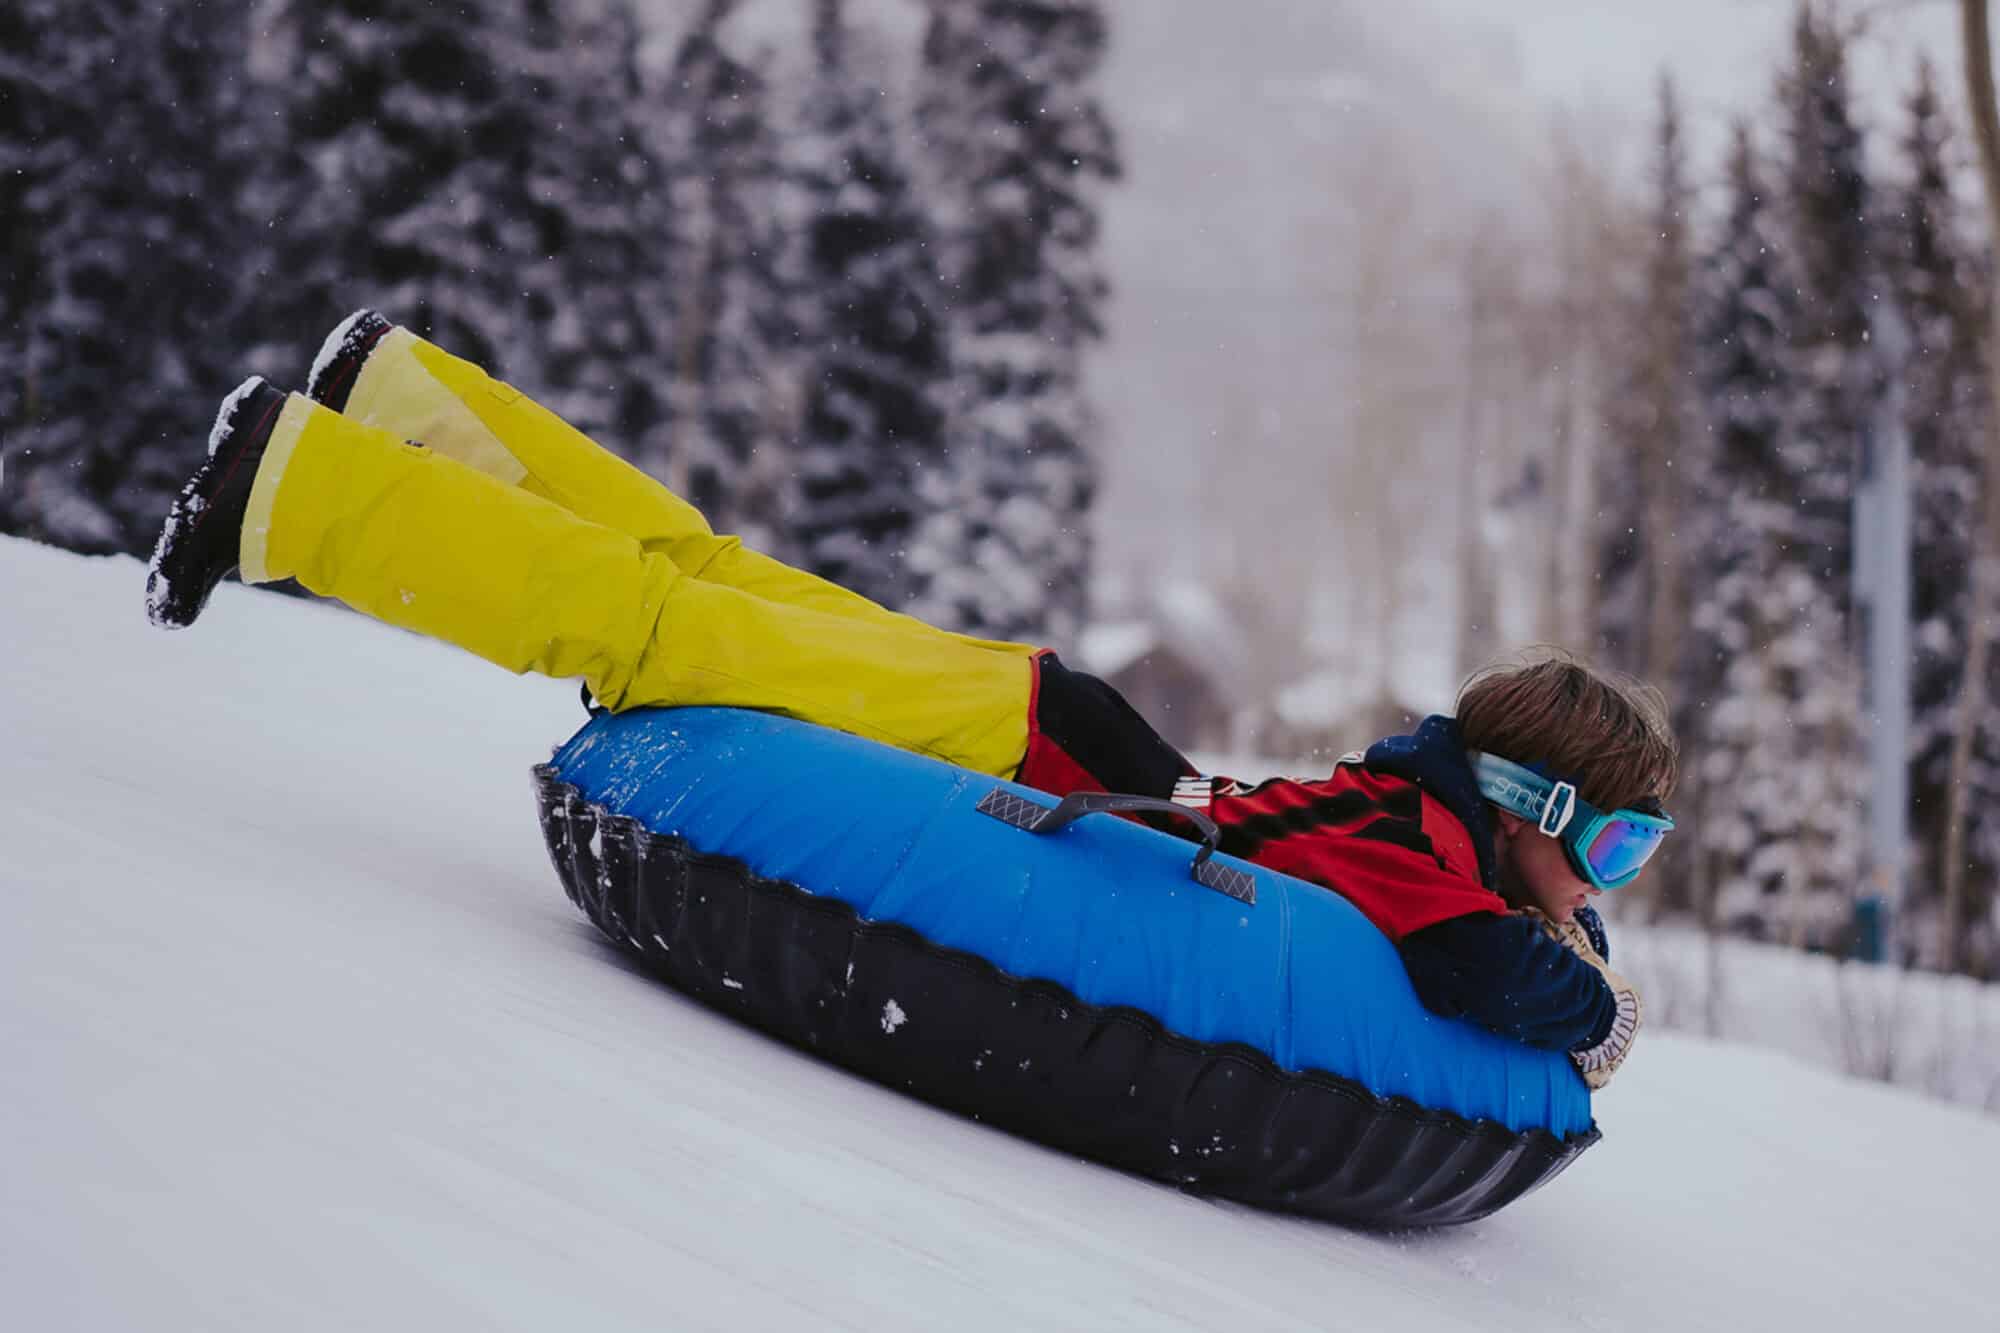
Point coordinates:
[[1105, 908]]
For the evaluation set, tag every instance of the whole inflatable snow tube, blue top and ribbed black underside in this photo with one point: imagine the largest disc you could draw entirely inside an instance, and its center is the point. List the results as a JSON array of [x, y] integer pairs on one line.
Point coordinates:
[[1239, 1034]]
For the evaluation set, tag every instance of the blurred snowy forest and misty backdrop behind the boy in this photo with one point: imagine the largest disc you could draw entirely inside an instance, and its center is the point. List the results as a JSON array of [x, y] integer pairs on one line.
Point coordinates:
[[1283, 393]]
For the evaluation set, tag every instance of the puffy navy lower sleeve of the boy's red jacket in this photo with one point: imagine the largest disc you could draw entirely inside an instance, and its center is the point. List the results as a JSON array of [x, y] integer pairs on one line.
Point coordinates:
[[1507, 976]]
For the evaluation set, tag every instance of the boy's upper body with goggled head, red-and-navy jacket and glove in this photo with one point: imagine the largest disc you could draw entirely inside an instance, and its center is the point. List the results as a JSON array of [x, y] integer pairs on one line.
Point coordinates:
[[1479, 842]]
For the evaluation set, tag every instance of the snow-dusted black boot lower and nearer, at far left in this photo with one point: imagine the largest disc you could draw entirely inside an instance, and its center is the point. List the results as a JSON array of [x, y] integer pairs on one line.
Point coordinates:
[[203, 533]]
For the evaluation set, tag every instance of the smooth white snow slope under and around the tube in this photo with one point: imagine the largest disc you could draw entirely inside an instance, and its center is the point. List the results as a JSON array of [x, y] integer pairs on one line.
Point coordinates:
[[297, 1032]]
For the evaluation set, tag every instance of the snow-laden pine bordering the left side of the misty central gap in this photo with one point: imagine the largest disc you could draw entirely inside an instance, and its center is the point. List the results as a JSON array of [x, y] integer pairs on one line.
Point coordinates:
[[1019, 147]]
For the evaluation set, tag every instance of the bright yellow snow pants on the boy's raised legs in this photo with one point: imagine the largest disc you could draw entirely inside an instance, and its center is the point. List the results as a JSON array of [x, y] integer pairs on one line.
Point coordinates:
[[515, 537]]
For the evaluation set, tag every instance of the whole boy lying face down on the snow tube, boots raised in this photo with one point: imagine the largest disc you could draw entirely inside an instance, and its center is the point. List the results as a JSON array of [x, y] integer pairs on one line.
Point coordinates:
[[509, 533]]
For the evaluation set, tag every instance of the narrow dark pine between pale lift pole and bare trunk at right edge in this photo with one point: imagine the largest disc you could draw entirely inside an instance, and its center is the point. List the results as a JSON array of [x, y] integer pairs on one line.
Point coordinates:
[[1941, 289]]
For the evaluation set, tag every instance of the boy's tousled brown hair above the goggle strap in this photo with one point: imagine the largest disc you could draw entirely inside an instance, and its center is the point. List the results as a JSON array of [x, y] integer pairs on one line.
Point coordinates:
[[1599, 730]]
